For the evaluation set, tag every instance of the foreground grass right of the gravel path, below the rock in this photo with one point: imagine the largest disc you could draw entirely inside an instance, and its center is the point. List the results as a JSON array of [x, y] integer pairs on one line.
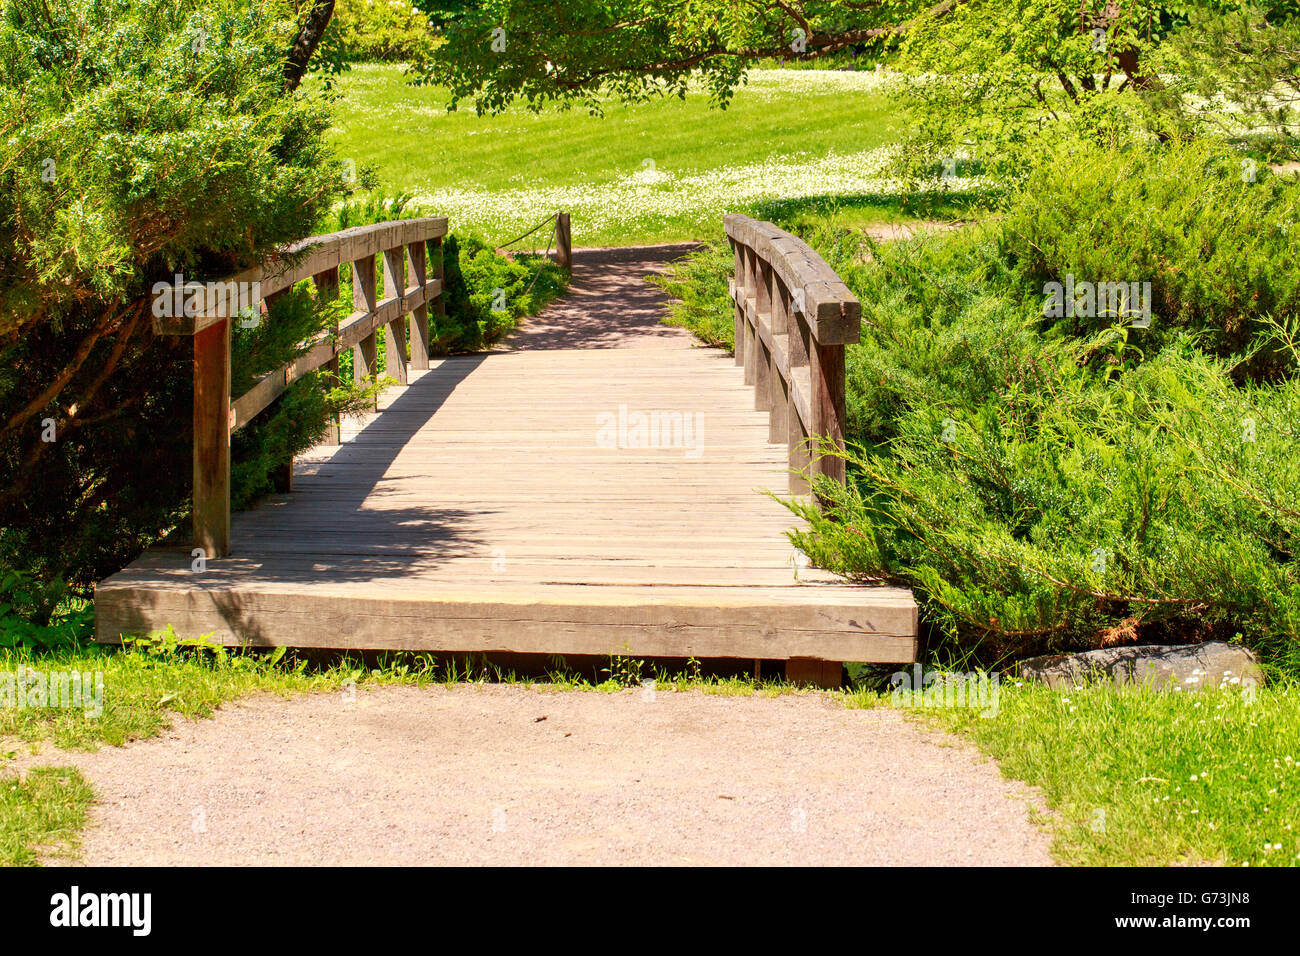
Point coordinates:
[[1139, 777]]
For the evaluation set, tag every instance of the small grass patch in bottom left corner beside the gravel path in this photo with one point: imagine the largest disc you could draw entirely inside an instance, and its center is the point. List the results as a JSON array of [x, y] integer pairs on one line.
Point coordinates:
[[42, 815]]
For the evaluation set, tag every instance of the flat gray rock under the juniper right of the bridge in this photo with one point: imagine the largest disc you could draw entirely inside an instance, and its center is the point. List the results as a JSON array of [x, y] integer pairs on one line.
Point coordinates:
[[1176, 668]]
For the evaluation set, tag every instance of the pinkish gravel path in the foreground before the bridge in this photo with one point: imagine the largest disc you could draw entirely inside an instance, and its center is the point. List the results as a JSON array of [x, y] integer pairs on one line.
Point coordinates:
[[506, 775]]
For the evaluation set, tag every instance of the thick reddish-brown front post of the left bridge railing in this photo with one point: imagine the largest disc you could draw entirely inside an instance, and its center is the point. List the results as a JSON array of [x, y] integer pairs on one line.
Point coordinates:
[[213, 417]]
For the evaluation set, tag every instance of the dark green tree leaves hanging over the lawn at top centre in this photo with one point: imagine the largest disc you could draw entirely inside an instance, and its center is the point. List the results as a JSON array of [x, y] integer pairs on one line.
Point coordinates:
[[634, 50]]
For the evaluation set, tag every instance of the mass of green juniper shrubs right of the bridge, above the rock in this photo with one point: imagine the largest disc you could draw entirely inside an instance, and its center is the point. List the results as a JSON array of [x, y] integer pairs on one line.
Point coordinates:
[[1046, 486]]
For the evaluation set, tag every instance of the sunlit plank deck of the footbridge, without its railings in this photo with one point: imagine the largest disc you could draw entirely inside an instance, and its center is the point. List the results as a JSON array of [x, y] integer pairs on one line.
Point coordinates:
[[499, 505]]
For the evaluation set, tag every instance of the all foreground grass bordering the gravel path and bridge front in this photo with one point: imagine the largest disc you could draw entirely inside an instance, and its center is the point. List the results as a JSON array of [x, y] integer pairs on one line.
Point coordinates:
[[1115, 767]]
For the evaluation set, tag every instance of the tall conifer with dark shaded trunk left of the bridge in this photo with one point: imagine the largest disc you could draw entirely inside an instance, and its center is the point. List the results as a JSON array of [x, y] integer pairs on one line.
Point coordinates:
[[142, 139]]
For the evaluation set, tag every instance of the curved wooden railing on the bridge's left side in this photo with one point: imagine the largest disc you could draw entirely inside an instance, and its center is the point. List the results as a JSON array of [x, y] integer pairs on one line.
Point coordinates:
[[206, 313]]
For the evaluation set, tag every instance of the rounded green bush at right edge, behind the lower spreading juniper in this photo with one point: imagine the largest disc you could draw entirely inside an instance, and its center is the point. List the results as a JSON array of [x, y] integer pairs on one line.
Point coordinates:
[[1214, 233]]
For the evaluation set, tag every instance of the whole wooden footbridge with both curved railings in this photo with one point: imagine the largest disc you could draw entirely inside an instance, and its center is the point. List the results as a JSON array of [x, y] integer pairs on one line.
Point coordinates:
[[595, 487]]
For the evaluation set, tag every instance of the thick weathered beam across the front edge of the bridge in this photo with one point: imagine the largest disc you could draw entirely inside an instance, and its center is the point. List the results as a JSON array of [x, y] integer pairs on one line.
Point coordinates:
[[518, 624]]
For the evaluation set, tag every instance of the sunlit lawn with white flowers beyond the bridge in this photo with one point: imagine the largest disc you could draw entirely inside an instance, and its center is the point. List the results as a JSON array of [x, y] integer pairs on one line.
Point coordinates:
[[791, 142]]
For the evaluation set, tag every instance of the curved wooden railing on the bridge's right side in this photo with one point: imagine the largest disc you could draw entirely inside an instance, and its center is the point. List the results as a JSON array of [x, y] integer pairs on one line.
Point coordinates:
[[794, 318]]
